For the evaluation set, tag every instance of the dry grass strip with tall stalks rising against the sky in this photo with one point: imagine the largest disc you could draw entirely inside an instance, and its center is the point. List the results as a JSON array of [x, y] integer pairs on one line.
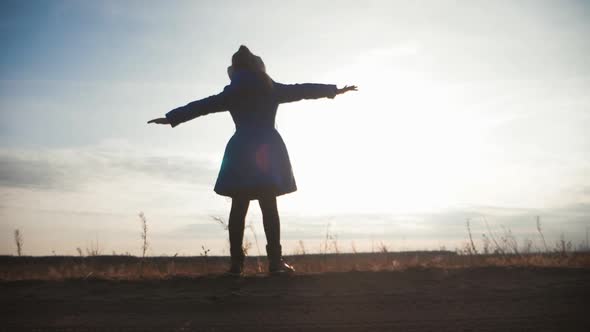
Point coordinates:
[[496, 249]]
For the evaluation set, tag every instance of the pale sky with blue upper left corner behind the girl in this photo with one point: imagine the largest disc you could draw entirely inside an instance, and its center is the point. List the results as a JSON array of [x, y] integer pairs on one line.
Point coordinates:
[[466, 110]]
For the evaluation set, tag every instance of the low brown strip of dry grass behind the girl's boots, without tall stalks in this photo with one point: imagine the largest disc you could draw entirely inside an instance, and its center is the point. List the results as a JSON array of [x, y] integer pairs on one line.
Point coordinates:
[[132, 268]]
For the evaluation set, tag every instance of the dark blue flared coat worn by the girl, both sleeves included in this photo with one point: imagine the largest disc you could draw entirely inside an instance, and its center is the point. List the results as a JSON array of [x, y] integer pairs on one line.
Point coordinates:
[[256, 162]]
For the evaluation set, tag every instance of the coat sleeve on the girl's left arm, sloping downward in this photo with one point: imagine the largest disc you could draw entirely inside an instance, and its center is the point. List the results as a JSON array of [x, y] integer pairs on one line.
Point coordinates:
[[212, 104]]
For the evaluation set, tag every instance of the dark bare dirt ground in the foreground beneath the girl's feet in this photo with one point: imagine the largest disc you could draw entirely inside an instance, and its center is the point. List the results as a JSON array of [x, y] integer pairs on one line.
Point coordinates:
[[476, 299]]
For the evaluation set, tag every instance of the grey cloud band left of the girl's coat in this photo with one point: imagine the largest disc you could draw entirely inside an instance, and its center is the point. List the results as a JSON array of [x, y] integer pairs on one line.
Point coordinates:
[[60, 169]]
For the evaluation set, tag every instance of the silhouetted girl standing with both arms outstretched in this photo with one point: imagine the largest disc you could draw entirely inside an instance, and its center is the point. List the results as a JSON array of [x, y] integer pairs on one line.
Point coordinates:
[[256, 164]]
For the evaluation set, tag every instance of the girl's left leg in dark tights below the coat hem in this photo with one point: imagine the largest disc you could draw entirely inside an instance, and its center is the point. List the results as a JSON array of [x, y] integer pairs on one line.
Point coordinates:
[[237, 220]]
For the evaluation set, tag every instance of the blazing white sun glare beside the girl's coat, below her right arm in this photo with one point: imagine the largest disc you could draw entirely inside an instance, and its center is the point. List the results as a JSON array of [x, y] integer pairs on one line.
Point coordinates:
[[397, 145]]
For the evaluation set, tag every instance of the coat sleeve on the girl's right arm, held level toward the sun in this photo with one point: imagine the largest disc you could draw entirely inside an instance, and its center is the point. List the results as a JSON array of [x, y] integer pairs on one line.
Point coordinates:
[[287, 93]]
